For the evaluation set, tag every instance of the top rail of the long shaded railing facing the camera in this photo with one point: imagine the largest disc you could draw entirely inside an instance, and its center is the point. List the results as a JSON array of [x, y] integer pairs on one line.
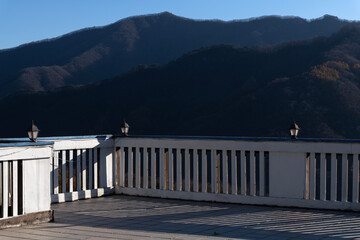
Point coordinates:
[[254, 139]]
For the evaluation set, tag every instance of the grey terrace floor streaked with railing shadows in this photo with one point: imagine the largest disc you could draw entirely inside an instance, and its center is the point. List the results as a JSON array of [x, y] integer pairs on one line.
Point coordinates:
[[125, 217]]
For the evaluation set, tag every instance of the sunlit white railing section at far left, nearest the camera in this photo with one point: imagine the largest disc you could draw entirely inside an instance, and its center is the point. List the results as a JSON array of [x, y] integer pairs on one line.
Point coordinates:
[[24, 180]]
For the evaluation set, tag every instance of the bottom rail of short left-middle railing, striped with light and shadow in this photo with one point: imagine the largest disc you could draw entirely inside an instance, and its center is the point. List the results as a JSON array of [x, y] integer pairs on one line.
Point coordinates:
[[85, 194]]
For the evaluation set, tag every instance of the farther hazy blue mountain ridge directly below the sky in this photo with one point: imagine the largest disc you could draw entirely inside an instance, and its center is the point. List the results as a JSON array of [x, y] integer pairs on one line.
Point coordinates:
[[96, 53]]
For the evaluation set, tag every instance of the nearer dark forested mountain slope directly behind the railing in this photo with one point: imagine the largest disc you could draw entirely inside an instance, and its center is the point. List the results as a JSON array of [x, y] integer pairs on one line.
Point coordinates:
[[218, 90]]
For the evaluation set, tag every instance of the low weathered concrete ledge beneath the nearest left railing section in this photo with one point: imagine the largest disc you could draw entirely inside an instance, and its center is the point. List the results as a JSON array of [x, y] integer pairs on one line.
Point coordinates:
[[27, 219]]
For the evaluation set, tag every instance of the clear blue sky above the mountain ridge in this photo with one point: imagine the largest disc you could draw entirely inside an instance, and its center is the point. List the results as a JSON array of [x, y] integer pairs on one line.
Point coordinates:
[[23, 21]]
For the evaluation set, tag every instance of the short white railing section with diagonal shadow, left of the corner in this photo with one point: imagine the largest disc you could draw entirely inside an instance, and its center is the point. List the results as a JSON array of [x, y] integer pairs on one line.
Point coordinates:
[[81, 167]]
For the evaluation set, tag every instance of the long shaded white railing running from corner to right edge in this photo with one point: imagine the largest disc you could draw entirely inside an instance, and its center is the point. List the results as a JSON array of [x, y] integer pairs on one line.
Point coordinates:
[[282, 172]]
